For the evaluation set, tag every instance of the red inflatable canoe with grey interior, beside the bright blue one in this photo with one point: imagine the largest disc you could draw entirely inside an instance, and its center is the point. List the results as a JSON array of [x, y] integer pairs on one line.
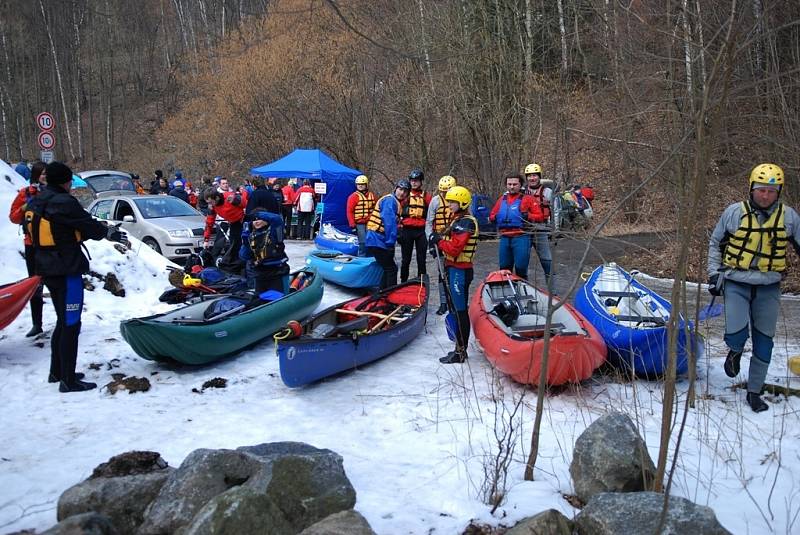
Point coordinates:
[[508, 316]]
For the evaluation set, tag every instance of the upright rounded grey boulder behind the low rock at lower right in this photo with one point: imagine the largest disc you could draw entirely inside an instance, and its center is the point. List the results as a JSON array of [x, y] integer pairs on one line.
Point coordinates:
[[610, 456]]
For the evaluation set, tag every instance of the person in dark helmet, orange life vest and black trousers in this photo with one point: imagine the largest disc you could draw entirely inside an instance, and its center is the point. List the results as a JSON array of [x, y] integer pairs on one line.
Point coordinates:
[[412, 228]]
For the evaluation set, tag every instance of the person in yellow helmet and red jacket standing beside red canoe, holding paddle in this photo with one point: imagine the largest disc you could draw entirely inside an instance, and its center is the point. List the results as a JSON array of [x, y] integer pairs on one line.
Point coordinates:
[[458, 244]]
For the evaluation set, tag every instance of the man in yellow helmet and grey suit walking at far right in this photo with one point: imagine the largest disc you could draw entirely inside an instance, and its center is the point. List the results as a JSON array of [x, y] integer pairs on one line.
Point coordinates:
[[746, 262]]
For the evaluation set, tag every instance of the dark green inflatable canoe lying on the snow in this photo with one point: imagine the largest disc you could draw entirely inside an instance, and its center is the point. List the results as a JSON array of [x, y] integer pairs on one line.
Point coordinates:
[[190, 335]]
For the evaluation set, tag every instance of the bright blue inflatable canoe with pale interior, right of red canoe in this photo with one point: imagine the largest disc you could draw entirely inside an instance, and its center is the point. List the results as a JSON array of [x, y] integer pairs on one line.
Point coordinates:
[[632, 319]]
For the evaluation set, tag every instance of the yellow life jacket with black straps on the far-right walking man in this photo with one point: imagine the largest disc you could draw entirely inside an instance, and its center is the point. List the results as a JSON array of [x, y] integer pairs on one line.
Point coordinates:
[[764, 242]]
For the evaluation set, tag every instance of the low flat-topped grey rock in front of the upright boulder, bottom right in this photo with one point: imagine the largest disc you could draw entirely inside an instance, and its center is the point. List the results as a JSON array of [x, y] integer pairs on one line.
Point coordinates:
[[638, 513]]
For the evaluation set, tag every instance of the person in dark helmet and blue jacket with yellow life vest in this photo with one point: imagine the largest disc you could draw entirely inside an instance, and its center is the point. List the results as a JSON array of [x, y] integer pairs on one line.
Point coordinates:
[[382, 231]]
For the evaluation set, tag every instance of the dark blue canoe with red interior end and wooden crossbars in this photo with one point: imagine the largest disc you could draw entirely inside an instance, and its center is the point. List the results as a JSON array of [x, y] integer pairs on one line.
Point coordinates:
[[353, 333]]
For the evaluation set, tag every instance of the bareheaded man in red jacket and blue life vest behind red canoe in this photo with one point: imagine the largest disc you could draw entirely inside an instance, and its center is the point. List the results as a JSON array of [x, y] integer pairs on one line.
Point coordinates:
[[512, 212]]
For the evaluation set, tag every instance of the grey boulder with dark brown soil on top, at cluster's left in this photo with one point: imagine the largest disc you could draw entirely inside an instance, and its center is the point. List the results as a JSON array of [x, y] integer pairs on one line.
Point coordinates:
[[123, 500]]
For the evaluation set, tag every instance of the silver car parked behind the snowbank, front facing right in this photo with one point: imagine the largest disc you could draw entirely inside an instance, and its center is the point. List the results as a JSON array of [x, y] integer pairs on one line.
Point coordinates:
[[166, 224]]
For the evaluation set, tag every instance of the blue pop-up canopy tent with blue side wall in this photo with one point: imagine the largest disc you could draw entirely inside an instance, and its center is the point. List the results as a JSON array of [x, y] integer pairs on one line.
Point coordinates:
[[317, 166]]
